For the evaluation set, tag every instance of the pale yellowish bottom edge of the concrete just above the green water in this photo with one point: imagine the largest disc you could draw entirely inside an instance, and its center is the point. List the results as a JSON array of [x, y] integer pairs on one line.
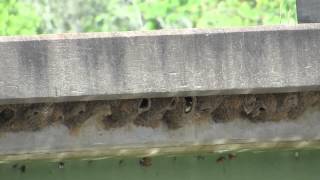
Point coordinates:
[[103, 153]]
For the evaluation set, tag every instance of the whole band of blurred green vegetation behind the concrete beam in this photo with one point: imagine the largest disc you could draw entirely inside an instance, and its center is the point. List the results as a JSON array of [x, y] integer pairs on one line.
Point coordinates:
[[56, 16]]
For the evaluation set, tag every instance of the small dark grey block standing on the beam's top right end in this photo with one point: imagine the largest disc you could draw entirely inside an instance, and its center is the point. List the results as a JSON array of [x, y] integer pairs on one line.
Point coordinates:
[[308, 11]]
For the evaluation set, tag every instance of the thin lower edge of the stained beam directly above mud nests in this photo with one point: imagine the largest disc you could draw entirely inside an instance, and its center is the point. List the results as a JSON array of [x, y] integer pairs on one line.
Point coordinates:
[[158, 95]]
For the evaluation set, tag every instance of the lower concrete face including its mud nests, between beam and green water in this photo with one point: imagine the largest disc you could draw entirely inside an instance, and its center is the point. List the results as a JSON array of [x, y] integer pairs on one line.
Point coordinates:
[[147, 127]]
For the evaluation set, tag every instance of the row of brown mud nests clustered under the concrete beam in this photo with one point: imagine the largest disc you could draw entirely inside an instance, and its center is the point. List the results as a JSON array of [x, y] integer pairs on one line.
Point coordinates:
[[172, 112]]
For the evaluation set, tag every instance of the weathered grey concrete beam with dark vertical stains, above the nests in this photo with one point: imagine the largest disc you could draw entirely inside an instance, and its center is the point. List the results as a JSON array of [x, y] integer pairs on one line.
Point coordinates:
[[159, 63]]
